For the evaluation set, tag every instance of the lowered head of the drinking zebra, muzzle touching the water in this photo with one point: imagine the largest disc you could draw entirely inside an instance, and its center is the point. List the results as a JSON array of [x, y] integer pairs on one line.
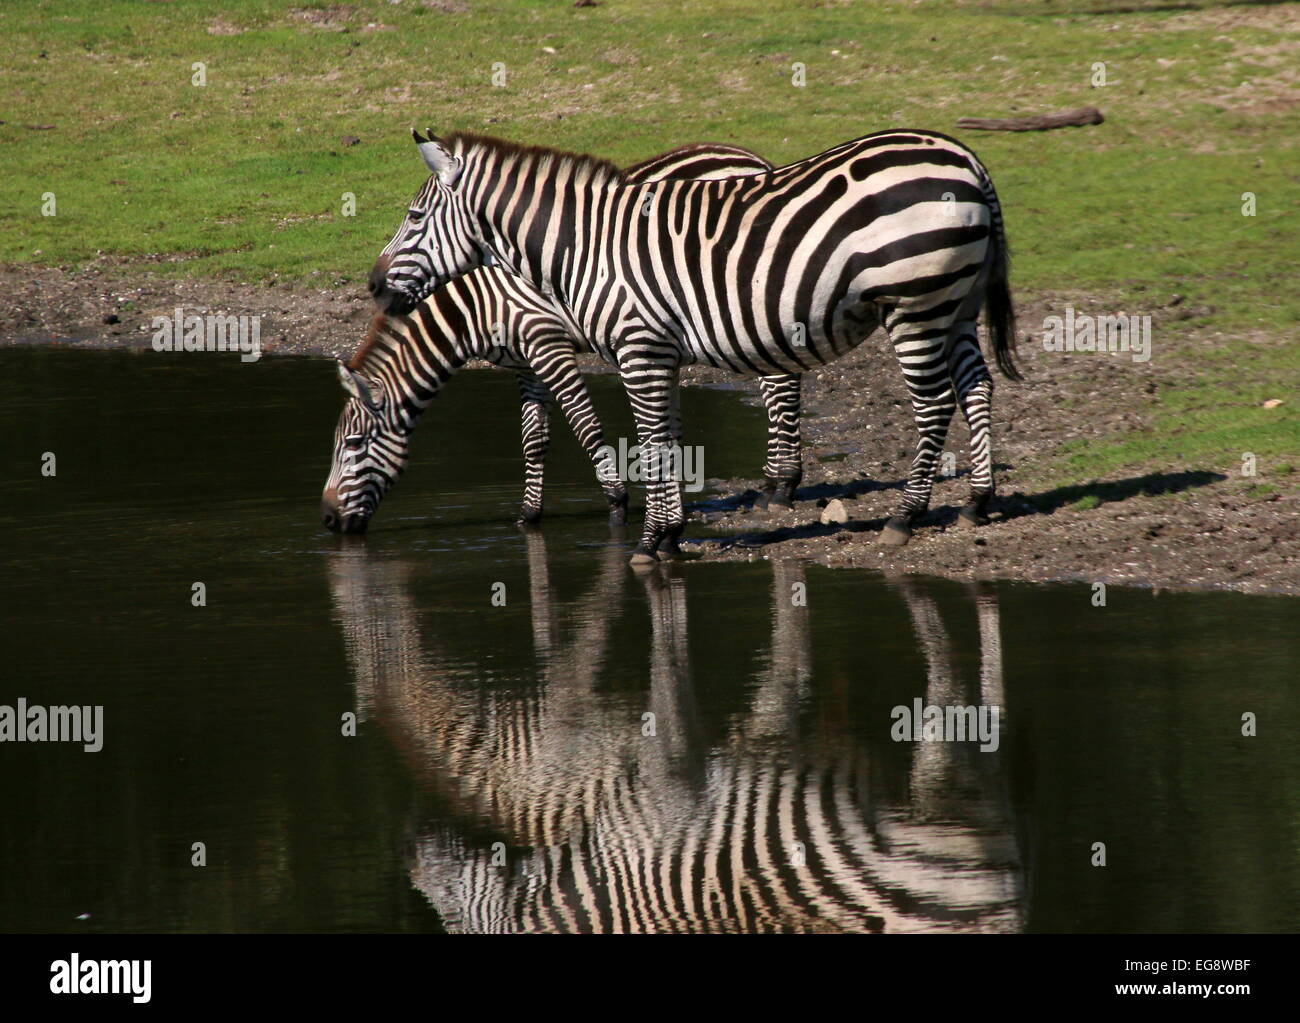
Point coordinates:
[[372, 445]]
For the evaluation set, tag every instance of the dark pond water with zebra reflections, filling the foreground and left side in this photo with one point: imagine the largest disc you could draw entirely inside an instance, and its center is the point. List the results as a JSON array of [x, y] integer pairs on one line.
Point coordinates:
[[502, 777]]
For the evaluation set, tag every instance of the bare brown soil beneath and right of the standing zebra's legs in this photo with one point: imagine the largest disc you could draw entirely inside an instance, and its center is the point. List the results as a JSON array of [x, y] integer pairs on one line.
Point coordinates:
[[1176, 526]]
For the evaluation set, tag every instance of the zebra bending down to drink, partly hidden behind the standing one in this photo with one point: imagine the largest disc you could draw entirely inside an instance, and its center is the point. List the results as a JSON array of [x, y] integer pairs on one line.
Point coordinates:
[[492, 315]]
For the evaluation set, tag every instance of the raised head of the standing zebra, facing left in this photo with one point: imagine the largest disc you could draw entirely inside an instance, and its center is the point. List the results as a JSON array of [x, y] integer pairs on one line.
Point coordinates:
[[435, 244]]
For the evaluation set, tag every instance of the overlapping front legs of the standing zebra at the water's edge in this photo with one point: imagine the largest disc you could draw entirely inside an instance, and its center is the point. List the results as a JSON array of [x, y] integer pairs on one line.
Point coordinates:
[[651, 379]]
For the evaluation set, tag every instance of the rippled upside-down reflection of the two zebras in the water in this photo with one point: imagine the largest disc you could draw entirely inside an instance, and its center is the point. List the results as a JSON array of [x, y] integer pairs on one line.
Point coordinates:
[[558, 813]]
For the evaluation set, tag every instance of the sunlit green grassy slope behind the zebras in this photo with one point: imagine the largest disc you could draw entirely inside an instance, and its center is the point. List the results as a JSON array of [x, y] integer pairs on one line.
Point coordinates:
[[245, 176]]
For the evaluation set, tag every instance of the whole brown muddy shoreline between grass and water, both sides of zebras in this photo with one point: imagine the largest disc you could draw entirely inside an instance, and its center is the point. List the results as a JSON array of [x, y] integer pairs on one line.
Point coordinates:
[[1176, 526]]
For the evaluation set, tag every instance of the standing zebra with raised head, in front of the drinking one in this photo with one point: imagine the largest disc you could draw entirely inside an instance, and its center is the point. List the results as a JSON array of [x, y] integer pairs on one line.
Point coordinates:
[[778, 272]]
